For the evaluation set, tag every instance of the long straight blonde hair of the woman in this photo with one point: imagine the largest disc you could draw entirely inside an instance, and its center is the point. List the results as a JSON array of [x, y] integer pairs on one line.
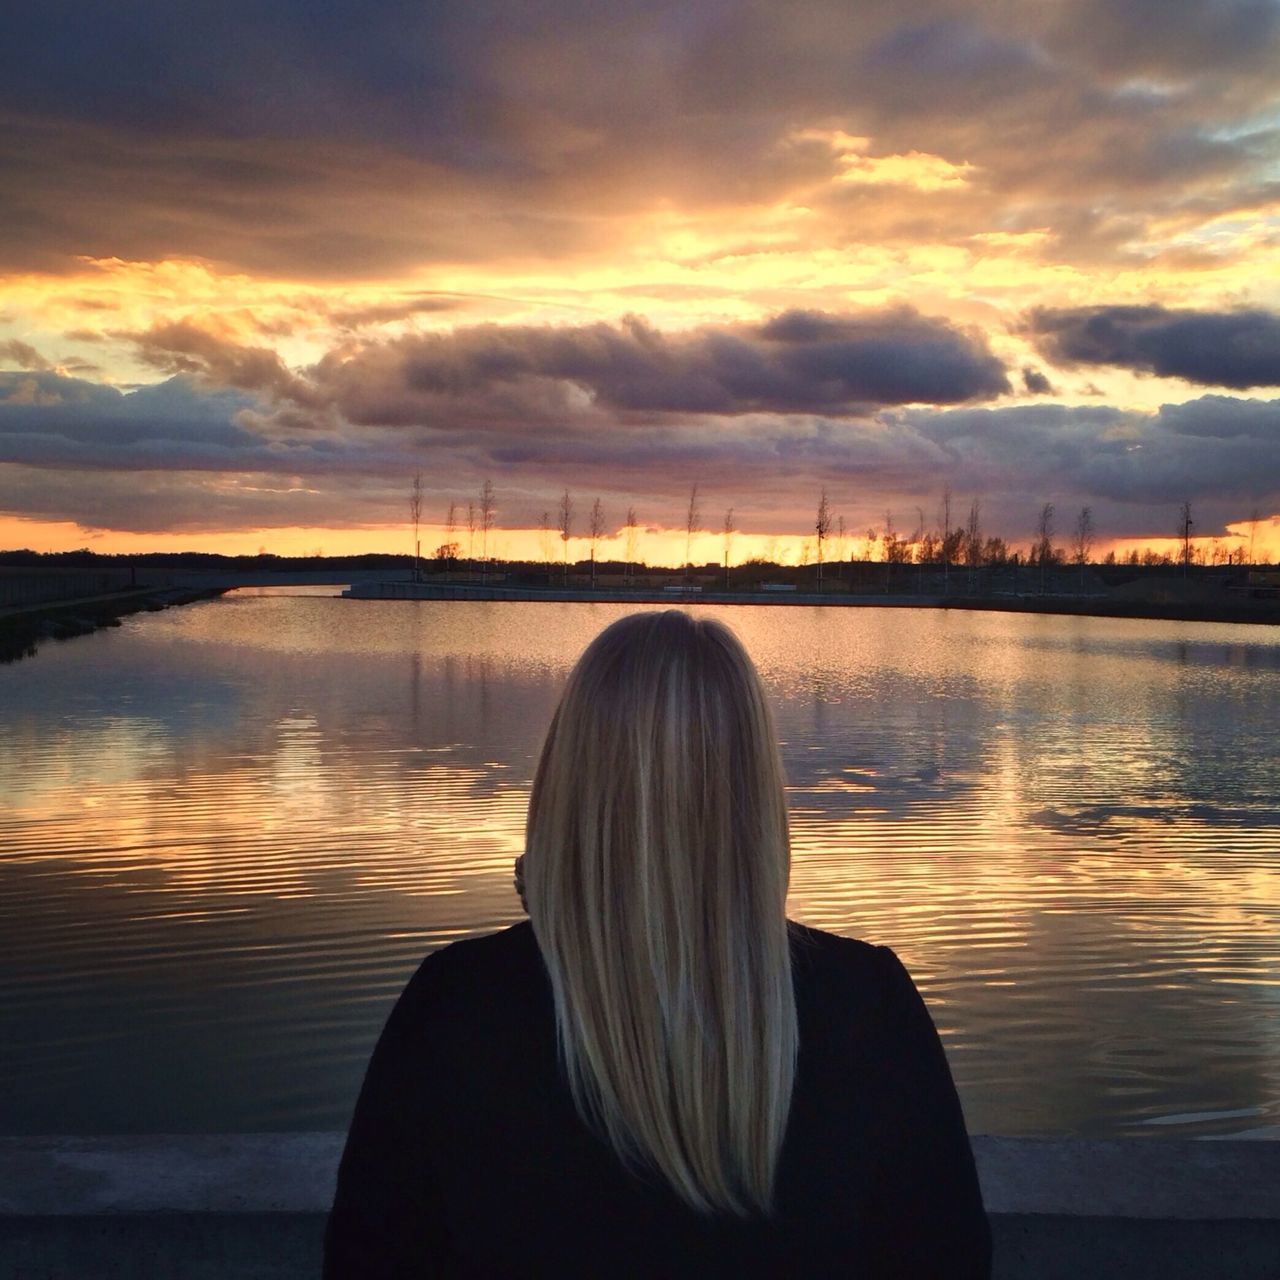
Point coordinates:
[[657, 866]]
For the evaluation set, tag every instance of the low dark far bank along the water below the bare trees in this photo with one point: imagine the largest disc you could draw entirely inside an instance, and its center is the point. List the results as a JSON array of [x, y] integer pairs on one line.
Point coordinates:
[[1169, 606]]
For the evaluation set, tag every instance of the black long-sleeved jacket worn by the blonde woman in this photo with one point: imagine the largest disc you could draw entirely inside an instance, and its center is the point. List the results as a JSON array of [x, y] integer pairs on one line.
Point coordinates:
[[467, 1158]]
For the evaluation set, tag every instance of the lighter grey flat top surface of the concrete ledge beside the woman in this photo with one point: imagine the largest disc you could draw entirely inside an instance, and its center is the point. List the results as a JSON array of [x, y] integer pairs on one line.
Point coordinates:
[[294, 1173]]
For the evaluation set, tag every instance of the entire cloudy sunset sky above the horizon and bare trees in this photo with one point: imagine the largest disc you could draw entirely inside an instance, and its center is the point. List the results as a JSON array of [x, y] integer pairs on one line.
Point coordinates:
[[260, 263]]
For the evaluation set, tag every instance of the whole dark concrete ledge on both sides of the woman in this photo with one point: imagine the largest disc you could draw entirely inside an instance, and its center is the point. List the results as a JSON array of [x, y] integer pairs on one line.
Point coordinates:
[[253, 1206]]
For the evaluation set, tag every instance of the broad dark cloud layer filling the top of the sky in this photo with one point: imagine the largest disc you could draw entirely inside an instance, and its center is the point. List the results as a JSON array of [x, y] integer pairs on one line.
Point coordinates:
[[490, 130]]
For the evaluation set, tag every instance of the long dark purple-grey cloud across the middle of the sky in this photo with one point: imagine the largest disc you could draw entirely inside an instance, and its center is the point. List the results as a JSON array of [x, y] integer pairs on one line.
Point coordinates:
[[497, 377]]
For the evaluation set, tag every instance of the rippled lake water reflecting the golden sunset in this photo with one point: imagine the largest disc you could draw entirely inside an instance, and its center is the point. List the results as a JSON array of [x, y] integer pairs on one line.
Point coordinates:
[[230, 833]]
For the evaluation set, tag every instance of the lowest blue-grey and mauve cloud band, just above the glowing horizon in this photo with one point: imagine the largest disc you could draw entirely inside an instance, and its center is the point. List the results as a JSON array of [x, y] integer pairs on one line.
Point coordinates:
[[177, 456]]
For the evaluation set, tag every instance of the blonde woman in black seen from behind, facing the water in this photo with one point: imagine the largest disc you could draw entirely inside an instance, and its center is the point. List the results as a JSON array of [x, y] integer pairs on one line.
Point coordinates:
[[659, 1076]]
